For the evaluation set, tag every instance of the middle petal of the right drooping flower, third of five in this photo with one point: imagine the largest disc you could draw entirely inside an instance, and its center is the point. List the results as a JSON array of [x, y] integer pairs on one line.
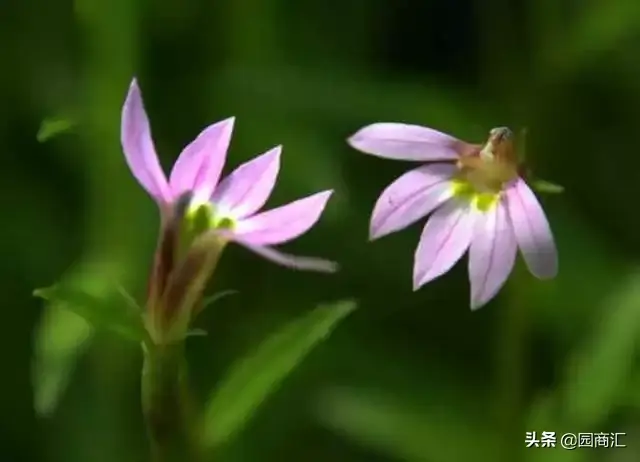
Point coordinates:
[[445, 238]]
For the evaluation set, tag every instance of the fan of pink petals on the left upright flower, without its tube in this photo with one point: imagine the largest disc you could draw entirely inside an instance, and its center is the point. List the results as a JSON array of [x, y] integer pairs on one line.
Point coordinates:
[[236, 200]]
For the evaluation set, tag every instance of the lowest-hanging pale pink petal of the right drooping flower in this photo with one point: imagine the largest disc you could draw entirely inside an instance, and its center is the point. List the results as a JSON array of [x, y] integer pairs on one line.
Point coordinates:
[[491, 255]]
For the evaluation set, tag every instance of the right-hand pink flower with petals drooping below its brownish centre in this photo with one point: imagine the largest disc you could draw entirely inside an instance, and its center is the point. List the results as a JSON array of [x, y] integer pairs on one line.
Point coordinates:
[[478, 200]]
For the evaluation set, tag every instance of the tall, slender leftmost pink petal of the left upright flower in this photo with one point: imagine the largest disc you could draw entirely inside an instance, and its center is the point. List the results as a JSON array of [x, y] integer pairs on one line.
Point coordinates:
[[137, 144]]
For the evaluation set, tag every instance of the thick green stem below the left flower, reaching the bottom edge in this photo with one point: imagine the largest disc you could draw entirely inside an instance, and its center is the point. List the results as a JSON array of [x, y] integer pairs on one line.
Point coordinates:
[[164, 403]]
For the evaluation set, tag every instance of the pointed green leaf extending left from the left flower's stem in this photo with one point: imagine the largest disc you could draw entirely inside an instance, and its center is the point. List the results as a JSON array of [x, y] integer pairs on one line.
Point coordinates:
[[102, 312]]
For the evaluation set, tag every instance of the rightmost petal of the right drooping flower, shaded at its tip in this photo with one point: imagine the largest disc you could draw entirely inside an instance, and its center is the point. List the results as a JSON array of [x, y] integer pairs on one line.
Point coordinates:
[[532, 231]]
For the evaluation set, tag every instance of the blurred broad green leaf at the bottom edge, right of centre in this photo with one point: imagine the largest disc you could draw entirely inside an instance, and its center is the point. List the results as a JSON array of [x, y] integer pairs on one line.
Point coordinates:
[[406, 430]]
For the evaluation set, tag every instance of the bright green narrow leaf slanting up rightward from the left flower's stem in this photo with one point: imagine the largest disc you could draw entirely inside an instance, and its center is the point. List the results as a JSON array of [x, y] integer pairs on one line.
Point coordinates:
[[253, 378]]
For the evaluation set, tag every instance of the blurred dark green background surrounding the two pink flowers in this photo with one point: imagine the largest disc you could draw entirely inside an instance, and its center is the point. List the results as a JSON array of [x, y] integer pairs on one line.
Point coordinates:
[[409, 376]]
